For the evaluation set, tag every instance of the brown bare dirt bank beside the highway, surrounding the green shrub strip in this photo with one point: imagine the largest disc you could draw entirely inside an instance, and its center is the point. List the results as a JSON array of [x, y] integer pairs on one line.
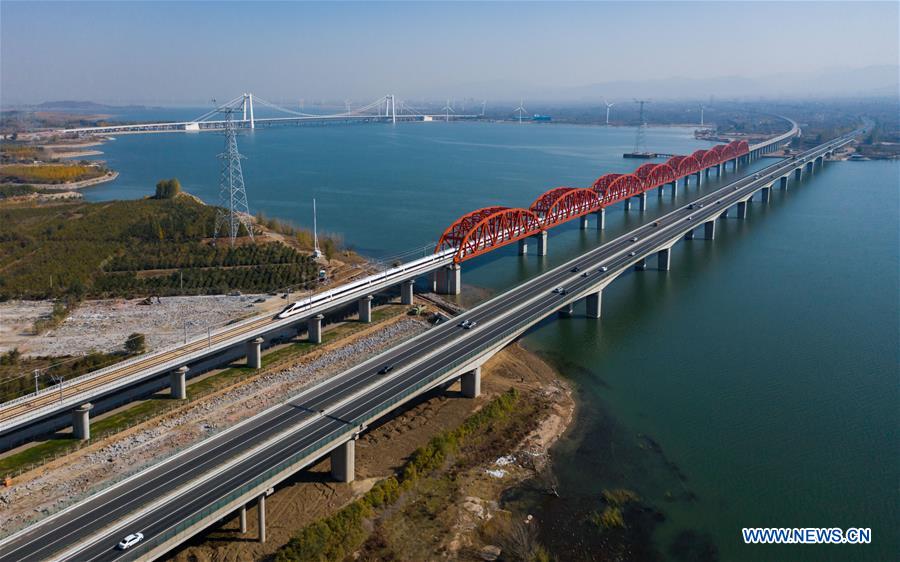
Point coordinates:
[[310, 494]]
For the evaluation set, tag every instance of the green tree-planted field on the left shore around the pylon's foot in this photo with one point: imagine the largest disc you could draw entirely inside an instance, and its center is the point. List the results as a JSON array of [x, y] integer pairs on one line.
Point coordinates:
[[135, 248]]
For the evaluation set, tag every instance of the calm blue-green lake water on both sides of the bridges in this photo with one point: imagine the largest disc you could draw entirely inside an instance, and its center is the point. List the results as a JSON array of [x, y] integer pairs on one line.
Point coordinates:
[[755, 384]]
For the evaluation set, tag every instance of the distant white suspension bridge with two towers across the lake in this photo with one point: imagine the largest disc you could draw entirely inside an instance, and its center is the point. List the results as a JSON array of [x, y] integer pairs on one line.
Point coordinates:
[[386, 109]]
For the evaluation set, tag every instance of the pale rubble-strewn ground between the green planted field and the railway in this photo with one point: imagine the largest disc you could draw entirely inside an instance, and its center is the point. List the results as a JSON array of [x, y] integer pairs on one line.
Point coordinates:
[[110, 322]]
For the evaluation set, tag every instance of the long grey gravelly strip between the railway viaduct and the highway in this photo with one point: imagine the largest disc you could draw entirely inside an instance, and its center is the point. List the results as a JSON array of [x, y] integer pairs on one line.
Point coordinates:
[[59, 483]]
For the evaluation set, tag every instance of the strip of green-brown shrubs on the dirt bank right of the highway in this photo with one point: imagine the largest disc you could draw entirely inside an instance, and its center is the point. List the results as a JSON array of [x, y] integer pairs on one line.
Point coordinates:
[[419, 492]]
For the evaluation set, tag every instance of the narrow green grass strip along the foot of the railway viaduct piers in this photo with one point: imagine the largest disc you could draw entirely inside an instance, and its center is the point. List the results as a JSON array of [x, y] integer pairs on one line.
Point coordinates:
[[138, 413]]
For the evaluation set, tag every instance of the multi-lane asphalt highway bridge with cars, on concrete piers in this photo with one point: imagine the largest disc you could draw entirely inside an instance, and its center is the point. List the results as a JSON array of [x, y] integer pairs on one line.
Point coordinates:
[[219, 477]]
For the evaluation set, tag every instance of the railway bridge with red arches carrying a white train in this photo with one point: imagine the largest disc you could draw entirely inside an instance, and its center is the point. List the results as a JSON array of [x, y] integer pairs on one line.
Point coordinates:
[[473, 234]]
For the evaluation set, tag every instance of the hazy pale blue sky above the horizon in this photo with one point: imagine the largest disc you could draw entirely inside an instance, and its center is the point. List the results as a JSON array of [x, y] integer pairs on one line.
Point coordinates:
[[170, 53]]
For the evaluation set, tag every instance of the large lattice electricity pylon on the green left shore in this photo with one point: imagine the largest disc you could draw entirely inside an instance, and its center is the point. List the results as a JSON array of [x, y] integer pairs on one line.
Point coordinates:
[[233, 212]]
